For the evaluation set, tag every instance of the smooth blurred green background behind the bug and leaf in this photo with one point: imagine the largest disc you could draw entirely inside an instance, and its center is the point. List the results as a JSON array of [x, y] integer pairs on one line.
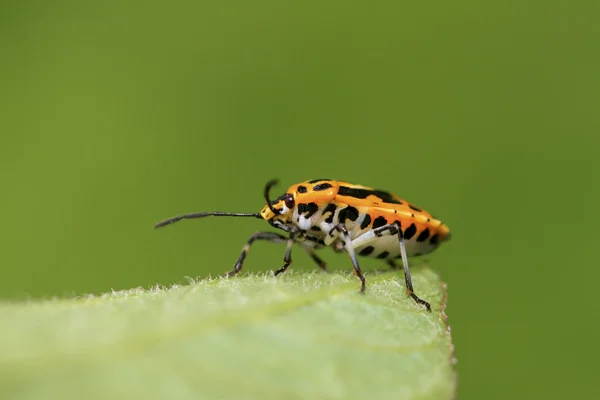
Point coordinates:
[[117, 114]]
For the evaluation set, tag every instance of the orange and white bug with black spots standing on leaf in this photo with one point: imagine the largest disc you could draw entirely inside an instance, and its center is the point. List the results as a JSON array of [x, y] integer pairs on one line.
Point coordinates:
[[349, 218]]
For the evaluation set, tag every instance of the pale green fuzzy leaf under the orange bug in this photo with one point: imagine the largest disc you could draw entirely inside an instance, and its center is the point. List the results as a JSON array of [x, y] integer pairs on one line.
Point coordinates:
[[298, 336]]
